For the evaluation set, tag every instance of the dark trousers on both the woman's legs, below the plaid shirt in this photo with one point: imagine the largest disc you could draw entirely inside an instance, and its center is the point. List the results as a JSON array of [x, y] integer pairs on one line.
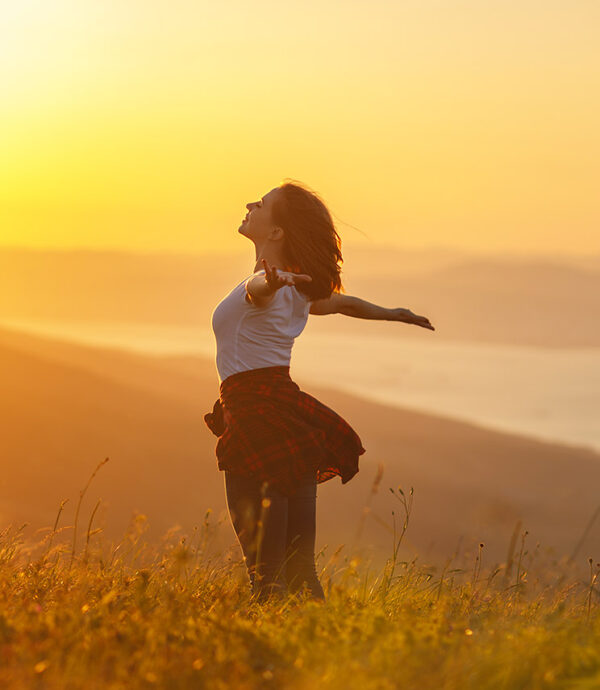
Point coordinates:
[[276, 534]]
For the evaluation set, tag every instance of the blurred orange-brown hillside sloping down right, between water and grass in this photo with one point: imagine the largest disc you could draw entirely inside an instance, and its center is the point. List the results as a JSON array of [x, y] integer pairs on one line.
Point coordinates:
[[65, 407]]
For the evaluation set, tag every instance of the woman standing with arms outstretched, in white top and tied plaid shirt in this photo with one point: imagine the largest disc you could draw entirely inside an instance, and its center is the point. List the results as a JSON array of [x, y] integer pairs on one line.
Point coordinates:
[[276, 442]]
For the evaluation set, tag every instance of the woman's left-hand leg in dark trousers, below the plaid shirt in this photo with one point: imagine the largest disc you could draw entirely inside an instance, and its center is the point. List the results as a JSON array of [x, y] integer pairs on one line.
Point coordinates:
[[259, 515]]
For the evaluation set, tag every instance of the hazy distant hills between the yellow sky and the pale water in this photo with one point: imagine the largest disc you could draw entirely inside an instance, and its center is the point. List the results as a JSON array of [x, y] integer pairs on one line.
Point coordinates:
[[483, 298]]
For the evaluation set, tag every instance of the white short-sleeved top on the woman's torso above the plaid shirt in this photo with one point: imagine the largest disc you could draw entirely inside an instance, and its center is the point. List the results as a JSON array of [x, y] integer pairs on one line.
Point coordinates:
[[251, 337]]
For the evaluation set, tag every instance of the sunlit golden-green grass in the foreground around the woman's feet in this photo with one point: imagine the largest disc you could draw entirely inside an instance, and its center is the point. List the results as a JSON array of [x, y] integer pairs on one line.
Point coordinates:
[[76, 615]]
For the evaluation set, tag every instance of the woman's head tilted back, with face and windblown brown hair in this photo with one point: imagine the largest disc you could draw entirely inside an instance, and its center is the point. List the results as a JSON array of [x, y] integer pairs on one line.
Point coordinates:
[[296, 217]]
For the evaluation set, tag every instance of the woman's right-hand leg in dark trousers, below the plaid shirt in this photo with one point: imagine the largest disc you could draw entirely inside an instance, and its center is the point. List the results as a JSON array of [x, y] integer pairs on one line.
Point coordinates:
[[301, 532]]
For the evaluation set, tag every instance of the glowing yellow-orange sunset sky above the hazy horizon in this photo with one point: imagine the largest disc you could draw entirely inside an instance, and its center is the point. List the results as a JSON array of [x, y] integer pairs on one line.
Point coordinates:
[[148, 125]]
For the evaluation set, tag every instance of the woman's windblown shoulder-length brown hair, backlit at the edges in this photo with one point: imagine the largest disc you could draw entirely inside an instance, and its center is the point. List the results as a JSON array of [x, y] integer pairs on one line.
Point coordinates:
[[311, 244]]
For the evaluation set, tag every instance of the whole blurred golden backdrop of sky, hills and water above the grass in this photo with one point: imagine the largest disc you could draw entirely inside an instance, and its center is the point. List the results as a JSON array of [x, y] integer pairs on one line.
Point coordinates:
[[457, 146]]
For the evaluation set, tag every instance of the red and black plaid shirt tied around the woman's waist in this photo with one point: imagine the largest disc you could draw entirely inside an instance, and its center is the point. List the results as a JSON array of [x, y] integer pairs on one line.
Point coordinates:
[[270, 429]]
